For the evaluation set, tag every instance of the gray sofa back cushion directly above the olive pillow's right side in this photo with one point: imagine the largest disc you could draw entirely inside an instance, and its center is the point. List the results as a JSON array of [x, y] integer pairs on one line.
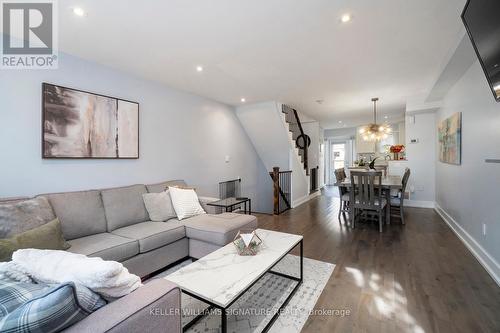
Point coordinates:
[[81, 213]]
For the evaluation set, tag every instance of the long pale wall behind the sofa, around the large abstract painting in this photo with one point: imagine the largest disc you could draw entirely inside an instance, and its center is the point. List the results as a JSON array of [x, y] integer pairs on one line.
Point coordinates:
[[181, 136]]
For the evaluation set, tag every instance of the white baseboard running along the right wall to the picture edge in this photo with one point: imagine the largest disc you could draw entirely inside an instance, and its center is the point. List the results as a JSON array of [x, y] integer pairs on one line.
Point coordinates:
[[485, 259]]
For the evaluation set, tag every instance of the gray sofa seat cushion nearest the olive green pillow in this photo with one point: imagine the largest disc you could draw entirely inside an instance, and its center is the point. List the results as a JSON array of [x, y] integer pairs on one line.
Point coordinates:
[[106, 246]]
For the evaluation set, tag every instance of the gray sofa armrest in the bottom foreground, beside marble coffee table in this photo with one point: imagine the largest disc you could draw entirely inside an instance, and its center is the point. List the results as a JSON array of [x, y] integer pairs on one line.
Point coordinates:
[[153, 308]]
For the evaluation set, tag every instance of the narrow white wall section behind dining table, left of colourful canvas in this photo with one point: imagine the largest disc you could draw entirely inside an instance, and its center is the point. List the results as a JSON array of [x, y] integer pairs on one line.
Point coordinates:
[[421, 158]]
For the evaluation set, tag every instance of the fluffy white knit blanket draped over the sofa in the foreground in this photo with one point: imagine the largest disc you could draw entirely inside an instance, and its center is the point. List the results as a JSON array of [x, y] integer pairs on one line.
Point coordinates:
[[108, 278]]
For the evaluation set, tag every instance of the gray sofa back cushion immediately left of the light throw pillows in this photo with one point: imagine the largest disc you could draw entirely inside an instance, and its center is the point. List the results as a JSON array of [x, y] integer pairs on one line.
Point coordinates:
[[124, 206]]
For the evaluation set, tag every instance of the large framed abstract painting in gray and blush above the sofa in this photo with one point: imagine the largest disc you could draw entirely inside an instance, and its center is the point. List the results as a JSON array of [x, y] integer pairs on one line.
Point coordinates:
[[79, 124]]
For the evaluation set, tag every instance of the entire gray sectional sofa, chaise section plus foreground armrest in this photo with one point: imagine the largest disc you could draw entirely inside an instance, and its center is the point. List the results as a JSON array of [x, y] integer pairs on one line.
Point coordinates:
[[114, 224]]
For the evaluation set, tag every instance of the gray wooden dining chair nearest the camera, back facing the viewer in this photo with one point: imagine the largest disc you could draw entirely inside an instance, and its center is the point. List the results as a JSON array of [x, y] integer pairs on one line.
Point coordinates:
[[365, 196]]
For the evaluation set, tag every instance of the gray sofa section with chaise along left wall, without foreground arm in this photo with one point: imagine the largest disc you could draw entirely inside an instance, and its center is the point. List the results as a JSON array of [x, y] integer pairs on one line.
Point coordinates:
[[114, 224]]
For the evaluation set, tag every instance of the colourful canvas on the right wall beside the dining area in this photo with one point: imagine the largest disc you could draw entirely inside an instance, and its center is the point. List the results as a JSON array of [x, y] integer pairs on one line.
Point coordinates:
[[450, 139]]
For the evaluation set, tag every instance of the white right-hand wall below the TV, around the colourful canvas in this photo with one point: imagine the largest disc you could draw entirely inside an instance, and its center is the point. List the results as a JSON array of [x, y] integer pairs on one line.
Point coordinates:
[[469, 194]]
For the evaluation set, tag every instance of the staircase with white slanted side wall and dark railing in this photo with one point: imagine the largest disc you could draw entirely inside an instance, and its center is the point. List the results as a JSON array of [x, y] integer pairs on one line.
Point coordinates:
[[278, 136]]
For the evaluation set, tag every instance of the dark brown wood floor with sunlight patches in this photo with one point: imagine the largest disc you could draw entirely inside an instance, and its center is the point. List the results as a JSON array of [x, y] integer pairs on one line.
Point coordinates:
[[413, 278]]
